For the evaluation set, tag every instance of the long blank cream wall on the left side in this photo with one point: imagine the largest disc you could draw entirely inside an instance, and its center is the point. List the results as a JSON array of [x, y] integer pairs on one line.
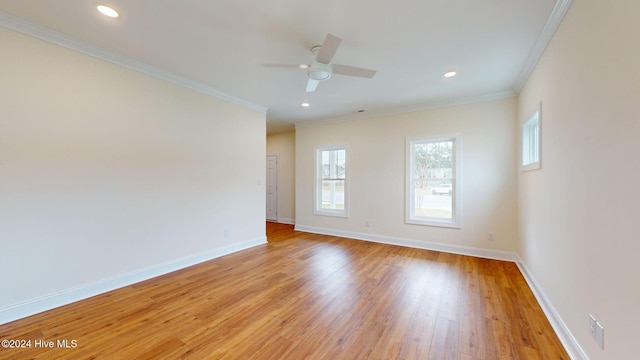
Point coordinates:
[[105, 171]]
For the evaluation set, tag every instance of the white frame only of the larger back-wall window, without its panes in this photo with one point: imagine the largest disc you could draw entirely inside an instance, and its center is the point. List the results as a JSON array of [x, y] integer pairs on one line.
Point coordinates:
[[456, 202]]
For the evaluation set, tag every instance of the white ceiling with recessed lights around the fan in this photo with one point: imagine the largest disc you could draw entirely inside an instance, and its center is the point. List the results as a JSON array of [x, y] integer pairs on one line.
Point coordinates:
[[220, 47]]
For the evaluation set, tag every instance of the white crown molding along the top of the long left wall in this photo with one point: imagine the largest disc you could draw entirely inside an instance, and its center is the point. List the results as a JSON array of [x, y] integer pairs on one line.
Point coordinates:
[[39, 32]]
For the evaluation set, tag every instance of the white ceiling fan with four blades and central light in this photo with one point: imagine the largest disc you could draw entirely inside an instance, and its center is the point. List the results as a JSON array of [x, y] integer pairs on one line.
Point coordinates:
[[321, 68]]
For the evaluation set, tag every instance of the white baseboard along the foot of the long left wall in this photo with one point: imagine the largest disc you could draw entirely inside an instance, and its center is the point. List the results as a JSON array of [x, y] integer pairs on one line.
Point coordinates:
[[65, 297]]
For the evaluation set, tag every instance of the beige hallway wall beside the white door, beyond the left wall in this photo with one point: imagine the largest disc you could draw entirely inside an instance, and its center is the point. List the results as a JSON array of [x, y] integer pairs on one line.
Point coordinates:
[[284, 145]]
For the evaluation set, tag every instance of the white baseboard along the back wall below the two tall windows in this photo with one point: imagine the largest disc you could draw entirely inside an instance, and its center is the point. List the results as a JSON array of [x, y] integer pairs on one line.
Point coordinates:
[[417, 244]]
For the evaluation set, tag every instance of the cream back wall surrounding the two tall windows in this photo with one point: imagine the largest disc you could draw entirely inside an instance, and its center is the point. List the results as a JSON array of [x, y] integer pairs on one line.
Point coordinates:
[[376, 173]]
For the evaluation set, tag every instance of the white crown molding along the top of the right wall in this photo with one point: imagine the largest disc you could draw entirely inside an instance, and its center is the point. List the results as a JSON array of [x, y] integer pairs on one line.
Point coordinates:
[[550, 27]]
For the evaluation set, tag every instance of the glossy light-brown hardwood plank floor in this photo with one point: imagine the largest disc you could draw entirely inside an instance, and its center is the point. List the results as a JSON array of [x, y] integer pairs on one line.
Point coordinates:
[[306, 296]]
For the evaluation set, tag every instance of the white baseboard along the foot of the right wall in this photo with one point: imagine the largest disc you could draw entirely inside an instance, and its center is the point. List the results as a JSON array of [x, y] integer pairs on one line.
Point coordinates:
[[567, 339]]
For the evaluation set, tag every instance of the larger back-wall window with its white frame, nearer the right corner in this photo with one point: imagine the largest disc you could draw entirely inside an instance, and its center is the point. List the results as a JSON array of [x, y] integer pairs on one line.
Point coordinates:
[[433, 186]]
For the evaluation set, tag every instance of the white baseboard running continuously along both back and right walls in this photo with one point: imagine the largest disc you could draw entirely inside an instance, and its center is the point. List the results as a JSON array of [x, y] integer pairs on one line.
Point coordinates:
[[566, 338]]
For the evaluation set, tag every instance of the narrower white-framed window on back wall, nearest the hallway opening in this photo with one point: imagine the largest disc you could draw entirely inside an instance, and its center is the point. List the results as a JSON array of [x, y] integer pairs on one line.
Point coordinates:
[[331, 181]]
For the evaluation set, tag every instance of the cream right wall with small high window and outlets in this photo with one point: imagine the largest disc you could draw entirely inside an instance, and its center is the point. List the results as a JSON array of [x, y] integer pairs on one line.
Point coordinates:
[[579, 235]]
